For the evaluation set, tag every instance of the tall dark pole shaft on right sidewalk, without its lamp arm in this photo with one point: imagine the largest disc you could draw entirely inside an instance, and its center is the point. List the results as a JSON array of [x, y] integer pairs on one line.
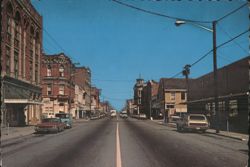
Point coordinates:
[[215, 79]]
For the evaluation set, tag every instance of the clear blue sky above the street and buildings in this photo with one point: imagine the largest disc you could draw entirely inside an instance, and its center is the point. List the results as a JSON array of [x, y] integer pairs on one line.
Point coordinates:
[[120, 43]]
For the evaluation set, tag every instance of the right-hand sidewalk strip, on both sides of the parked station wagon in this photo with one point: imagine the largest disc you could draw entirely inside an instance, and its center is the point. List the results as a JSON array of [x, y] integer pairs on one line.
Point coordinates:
[[233, 135]]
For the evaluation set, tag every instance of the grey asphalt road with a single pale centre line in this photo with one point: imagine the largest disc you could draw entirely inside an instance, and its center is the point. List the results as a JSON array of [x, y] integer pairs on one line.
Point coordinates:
[[126, 143]]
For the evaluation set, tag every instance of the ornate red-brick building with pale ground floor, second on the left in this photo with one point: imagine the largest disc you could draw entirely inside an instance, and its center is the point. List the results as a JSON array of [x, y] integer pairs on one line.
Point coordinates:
[[58, 86]]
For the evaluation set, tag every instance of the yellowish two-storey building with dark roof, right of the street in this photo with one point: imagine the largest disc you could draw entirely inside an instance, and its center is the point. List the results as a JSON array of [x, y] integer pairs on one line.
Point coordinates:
[[172, 96]]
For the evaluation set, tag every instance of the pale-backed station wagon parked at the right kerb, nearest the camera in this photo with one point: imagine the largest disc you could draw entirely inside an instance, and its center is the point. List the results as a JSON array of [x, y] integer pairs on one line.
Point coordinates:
[[196, 122]]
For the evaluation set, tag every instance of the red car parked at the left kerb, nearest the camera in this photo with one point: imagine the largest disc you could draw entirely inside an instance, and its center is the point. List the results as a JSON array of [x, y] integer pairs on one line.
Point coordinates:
[[50, 125]]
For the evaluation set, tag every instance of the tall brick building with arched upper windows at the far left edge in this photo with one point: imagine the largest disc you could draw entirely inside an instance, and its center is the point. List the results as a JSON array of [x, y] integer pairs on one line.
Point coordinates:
[[21, 48]]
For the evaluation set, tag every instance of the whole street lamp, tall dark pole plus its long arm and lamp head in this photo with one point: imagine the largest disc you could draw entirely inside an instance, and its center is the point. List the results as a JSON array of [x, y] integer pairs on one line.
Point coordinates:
[[213, 30]]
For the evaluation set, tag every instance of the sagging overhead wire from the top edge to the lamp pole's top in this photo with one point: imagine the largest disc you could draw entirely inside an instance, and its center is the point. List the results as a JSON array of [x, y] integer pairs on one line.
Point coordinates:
[[157, 14]]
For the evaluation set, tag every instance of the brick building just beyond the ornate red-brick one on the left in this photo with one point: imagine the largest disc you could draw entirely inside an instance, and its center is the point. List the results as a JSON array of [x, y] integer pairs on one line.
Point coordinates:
[[83, 80]]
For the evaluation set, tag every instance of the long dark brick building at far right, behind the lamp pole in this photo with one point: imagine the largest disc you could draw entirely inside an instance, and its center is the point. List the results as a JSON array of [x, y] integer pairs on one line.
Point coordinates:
[[233, 92]]
